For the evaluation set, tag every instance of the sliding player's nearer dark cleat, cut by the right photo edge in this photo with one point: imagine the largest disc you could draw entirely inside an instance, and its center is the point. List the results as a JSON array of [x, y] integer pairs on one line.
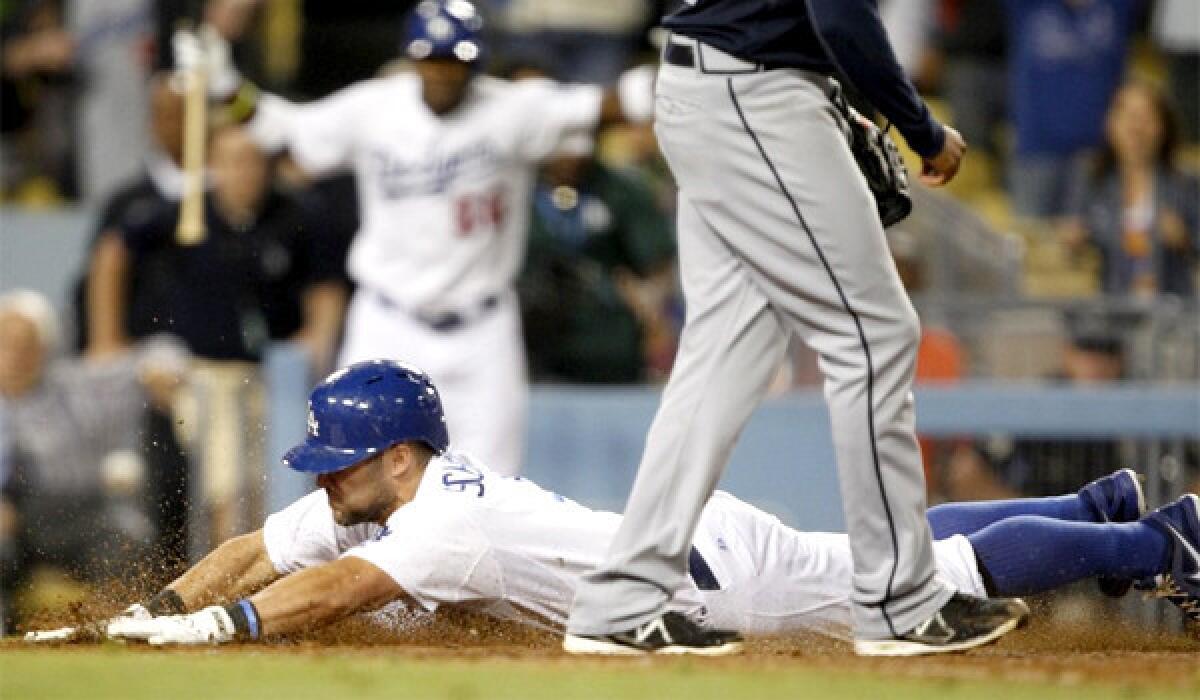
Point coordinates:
[[1180, 523]]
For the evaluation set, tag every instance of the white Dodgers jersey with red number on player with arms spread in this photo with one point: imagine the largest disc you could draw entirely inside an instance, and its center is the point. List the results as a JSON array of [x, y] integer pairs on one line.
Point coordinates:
[[445, 200]]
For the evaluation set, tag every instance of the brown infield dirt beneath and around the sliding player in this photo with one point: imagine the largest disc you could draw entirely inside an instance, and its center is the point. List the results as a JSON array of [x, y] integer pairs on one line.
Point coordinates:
[[1059, 656]]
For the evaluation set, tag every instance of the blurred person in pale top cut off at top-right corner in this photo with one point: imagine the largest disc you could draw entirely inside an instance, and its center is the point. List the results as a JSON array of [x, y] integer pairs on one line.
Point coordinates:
[[1178, 33]]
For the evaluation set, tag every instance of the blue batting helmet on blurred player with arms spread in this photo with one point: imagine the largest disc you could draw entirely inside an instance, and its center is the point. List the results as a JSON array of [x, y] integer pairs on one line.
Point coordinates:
[[446, 29]]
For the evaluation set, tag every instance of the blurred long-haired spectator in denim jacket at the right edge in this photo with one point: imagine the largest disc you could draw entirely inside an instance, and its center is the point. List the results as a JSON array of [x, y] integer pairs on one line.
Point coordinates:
[[1136, 206]]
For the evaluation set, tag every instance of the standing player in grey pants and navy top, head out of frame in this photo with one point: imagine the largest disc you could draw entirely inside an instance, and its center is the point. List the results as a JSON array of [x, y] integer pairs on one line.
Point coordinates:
[[779, 237]]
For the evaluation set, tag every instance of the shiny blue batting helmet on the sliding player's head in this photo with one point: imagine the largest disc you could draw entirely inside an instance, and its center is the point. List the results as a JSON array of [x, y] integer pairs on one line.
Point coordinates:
[[365, 409]]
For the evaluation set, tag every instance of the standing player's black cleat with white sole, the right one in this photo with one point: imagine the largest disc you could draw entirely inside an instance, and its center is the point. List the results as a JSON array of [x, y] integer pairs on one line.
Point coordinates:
[[964, 623]]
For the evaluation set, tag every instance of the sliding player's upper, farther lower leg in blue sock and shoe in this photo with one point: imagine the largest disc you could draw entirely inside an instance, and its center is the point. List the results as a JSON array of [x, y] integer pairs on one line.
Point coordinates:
[[1114, 499]]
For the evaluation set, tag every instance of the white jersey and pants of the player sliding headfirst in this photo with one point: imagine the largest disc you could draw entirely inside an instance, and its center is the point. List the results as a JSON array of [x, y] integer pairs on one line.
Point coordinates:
[[508, 548]]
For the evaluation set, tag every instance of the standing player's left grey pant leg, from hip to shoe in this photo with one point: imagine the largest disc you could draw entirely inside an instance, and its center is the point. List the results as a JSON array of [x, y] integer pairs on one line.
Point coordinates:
[[730, 349]]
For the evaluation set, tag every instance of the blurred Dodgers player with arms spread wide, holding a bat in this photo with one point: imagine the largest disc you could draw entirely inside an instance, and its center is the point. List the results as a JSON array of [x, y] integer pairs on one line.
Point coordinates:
[[446, 161]]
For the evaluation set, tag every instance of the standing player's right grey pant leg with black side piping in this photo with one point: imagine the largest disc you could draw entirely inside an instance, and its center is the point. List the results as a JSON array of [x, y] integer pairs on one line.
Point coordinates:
[[829, 271]]
